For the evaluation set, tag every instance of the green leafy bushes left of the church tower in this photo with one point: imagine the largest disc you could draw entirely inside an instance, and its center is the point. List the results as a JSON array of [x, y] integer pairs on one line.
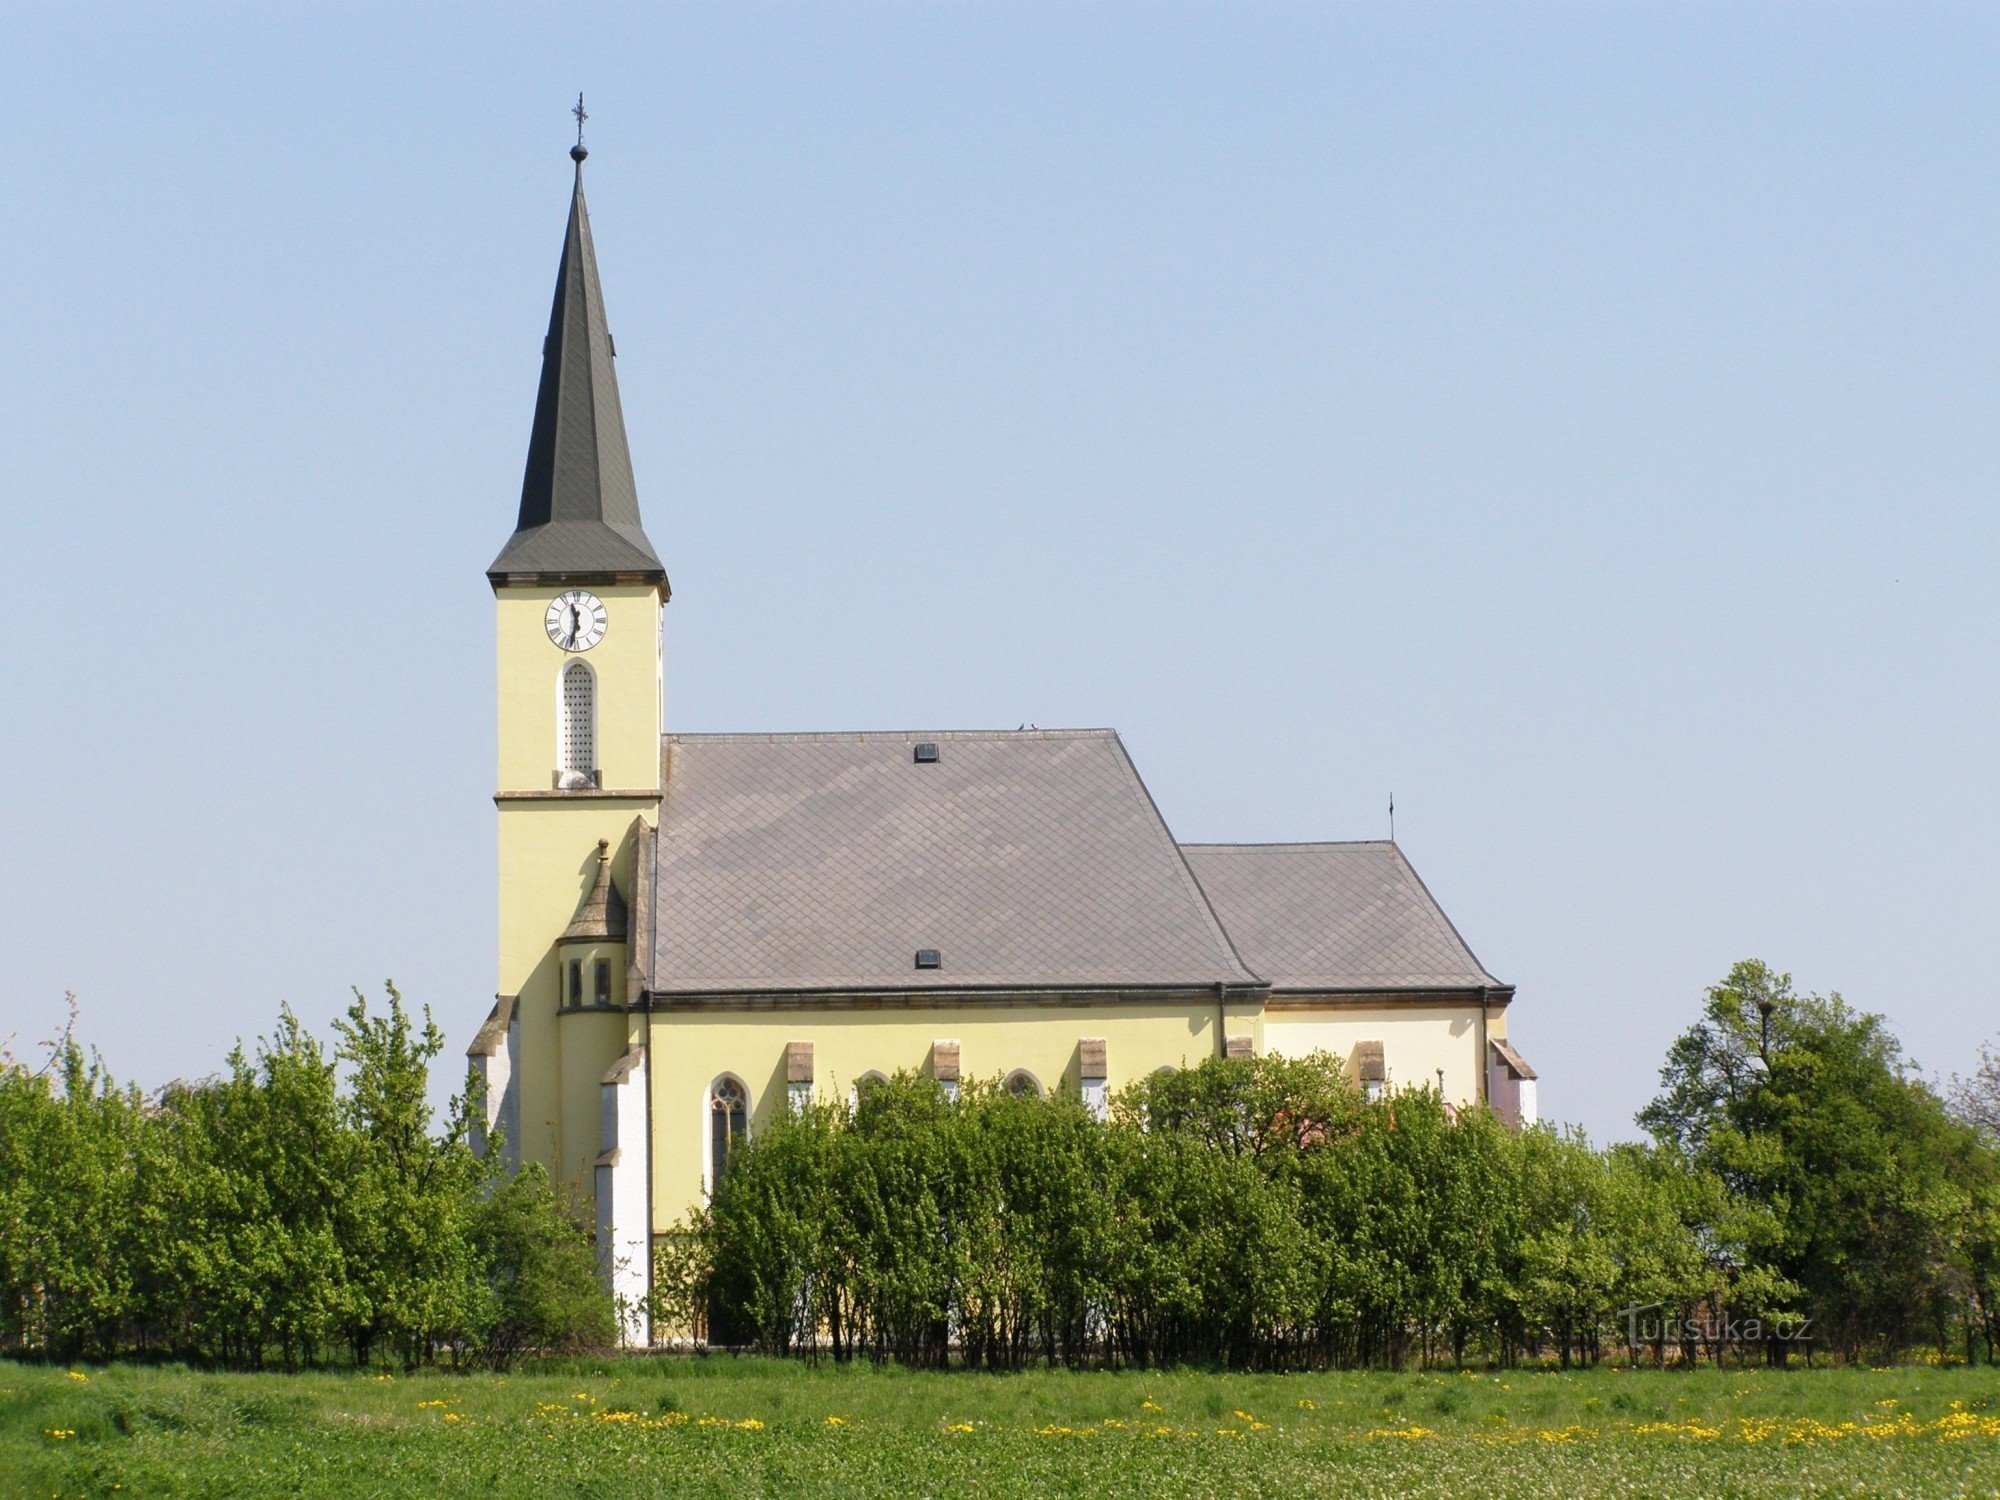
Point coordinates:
[[297, 1207]]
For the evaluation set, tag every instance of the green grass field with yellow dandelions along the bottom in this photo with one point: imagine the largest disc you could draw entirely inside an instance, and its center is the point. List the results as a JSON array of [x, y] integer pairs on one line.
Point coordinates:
[[733, 1427]]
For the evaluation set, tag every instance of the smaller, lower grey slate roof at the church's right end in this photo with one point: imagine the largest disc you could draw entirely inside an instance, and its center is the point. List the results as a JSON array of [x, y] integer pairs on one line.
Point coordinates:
[[1335, 919]]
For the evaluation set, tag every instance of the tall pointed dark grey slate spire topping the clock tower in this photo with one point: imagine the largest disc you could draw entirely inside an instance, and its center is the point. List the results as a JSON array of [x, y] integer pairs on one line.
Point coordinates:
[[579, 507]]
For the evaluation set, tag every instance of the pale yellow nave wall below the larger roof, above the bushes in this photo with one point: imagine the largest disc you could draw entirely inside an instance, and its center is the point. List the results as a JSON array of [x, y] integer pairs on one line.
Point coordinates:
[[693, 1049]]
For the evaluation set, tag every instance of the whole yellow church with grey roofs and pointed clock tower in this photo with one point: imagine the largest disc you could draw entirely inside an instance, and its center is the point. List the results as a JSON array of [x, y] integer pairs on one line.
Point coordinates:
[[699, 931]]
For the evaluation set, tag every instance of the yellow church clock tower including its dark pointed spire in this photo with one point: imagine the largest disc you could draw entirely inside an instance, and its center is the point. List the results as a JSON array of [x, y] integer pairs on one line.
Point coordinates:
[[577, 613]]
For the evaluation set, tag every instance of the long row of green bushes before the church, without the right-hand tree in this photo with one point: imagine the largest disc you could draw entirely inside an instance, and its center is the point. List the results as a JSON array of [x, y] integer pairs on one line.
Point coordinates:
[[1245, 1213]]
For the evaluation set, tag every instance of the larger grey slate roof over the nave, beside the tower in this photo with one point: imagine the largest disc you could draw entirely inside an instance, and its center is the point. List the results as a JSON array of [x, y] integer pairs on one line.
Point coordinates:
[[825, 861]]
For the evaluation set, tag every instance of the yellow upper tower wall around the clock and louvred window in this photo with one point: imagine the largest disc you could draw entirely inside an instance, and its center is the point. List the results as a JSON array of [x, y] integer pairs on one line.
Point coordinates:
[[627, 665]]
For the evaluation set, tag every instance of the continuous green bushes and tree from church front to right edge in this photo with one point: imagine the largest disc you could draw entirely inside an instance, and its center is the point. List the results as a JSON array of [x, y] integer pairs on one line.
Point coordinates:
[[1803, 1187]]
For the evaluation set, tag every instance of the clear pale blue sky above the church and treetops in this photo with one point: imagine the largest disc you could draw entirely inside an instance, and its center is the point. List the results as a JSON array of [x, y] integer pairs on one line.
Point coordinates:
[[1575, 421]]
